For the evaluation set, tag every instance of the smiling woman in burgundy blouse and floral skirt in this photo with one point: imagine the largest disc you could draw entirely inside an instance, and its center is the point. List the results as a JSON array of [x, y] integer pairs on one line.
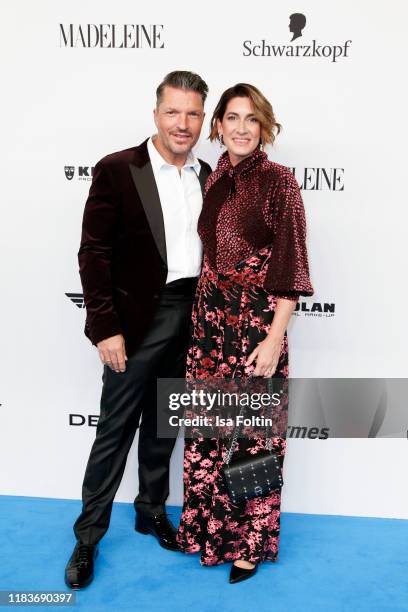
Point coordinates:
[[255, 268]]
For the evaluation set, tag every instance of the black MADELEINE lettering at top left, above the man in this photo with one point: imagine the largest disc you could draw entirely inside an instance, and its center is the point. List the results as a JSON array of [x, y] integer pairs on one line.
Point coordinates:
[[111, 36]]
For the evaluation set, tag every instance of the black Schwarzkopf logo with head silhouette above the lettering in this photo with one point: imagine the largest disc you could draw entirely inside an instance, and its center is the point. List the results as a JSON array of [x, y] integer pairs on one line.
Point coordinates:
[[297, 22]]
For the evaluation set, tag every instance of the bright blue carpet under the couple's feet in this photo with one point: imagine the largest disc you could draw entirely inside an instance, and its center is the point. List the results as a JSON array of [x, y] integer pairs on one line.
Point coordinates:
[[329, 563]]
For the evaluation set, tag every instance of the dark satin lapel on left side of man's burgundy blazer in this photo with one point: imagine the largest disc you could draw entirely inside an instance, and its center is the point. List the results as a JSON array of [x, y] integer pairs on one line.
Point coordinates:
[[143, 178]]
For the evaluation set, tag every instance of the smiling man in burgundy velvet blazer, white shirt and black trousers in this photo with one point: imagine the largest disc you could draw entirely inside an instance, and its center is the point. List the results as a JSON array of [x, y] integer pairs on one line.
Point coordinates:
[[139, 260]]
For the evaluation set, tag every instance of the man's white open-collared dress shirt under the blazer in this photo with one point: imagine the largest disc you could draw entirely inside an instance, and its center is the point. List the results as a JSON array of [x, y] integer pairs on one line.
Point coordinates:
[[181, 201]]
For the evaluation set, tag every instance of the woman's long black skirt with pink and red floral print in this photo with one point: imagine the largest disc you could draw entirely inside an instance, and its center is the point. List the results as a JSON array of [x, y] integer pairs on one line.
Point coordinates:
[[231, 315]]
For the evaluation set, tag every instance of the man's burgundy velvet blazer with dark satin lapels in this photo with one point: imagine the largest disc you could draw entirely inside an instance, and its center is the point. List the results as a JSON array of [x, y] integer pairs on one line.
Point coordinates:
[[122, 256]]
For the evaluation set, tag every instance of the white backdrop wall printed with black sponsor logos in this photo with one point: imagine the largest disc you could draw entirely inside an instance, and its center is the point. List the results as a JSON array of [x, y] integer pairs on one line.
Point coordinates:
[[79, 82]]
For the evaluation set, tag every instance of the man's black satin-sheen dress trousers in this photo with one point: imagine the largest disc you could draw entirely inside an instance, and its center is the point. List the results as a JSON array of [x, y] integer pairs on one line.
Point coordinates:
[[129, 398]]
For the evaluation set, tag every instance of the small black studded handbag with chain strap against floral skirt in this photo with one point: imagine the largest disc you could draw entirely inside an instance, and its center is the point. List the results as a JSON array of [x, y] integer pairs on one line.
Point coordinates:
[[253, 476]]
